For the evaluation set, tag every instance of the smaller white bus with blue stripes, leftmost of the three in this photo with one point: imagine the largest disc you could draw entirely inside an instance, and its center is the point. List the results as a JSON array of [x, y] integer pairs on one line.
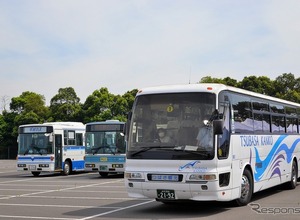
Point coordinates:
[[51, 147]]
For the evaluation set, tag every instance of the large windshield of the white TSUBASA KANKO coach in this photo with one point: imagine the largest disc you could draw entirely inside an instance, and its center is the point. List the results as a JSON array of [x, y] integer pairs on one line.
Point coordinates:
[[172, 126]]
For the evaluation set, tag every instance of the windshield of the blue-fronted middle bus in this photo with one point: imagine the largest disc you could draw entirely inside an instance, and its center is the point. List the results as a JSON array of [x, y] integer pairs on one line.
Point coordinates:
[[105, 142]]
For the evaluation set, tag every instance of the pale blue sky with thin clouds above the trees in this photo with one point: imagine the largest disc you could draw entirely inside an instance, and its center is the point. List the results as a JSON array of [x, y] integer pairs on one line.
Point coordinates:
[[130, 44]]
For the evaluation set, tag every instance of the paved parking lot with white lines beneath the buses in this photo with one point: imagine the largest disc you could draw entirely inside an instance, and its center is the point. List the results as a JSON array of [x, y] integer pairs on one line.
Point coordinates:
[[83, 196]]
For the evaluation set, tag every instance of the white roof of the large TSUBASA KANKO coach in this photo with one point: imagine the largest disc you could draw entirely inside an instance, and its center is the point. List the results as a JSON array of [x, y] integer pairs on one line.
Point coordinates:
[[207, 87]]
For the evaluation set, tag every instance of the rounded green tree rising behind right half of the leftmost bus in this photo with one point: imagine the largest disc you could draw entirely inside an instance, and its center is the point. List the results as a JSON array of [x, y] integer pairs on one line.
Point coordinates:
[[65, 106]]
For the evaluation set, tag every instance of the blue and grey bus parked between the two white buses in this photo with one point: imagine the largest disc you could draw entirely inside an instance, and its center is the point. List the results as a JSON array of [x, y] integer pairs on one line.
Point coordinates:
[[105, 147]]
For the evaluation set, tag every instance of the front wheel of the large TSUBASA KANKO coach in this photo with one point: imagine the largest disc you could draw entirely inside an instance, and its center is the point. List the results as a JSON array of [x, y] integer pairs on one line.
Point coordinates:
[[246, 189]]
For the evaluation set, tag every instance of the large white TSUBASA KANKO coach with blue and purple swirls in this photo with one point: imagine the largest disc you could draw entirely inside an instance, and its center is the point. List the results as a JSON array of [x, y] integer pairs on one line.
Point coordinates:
[[223, 143]]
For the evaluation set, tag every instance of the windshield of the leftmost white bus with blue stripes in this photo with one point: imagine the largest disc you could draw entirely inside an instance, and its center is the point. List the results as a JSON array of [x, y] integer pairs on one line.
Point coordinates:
[[31, 143]]
